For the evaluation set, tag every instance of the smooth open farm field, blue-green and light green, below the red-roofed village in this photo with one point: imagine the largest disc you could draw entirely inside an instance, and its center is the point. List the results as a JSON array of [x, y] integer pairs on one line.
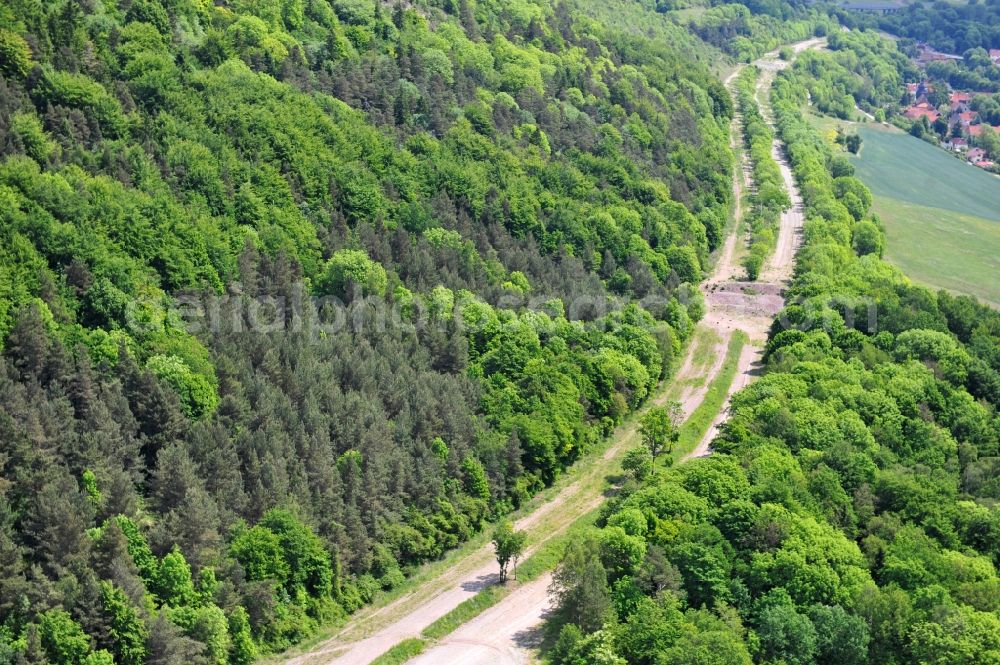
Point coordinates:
[[941, 215]]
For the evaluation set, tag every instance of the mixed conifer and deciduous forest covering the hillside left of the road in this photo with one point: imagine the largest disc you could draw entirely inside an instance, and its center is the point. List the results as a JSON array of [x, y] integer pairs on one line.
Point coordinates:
[[178, 493]]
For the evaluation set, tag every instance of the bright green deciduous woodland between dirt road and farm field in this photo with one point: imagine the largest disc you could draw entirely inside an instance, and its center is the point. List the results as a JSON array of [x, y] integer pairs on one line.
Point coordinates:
[[849, 513]]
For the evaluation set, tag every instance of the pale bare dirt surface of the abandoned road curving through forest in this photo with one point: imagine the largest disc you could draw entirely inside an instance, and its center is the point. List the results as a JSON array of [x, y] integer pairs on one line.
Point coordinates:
[[506, 632]]
